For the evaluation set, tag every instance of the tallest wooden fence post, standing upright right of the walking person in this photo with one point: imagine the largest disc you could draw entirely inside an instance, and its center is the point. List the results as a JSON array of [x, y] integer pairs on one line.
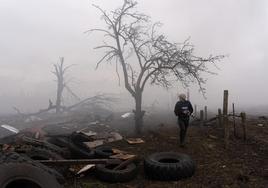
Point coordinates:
[[225, 118]]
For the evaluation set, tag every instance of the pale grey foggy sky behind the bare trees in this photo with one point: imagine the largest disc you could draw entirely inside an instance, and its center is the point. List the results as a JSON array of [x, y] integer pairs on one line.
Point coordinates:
[[35, 33]]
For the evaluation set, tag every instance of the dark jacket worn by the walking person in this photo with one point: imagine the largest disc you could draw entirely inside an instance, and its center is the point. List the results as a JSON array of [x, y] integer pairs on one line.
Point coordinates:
[[183, 109]]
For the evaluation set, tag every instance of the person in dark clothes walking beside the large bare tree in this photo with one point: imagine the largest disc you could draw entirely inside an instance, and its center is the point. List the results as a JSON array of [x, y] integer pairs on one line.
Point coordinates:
[[183, 110]]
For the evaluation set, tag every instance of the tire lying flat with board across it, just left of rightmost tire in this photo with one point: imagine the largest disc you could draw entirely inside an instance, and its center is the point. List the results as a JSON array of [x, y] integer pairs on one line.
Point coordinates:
[[106, 173]]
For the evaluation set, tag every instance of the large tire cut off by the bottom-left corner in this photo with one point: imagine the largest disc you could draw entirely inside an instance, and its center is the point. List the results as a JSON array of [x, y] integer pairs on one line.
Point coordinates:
[[17, 171]]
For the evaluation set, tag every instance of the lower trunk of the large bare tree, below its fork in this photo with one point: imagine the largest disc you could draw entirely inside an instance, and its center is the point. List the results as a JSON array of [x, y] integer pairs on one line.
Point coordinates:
[[138, 113]]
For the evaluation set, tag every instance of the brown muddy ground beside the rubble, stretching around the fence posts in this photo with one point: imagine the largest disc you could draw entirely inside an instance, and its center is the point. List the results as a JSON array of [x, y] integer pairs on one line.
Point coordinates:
[[244, 164]]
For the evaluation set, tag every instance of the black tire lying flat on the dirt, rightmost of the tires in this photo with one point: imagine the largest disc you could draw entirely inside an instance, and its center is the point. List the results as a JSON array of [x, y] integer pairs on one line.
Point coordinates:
[[169, 166]]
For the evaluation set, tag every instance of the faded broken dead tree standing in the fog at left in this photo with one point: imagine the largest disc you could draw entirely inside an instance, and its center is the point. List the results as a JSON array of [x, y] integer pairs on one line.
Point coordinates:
[[59, 72]]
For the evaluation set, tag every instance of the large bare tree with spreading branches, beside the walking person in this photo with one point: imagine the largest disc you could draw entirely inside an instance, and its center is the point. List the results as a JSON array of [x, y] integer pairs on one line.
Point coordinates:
[[130, 35]]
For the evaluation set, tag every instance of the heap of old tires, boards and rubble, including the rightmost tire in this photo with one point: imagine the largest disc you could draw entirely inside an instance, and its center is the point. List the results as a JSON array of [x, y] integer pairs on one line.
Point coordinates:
[[32, 160]]
